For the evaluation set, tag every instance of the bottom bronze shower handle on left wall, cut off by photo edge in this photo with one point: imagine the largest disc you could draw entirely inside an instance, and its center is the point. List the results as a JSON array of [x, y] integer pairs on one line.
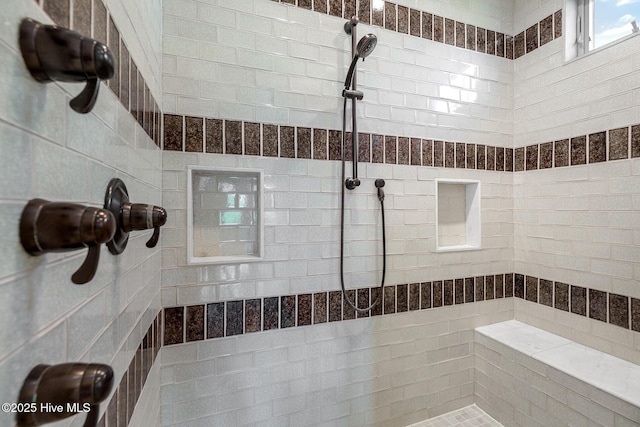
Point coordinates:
[[52, 393]]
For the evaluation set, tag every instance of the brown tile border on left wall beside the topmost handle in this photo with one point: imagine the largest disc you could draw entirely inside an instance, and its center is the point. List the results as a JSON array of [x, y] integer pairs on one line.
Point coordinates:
[[91, 17]]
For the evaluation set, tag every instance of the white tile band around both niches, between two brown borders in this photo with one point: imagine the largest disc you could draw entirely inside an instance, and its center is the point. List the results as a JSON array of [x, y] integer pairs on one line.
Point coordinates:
[[303, 223]]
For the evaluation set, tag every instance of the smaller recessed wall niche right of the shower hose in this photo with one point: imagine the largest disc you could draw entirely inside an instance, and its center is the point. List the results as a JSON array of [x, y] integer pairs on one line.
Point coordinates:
[[458, 224]]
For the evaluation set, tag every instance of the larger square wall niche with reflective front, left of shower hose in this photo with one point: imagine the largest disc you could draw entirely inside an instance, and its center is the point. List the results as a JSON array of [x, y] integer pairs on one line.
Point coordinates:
[[224, 215]]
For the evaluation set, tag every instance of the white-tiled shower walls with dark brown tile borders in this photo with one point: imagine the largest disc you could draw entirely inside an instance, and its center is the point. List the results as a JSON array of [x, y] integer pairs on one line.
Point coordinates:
[[470, 91]]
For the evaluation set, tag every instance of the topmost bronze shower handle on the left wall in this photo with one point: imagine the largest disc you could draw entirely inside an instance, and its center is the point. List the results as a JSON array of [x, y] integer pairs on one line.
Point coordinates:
[[52, 53]]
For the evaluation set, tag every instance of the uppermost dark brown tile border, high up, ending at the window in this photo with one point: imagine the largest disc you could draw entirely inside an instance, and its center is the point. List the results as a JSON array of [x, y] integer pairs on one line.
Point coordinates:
[[418, 23]]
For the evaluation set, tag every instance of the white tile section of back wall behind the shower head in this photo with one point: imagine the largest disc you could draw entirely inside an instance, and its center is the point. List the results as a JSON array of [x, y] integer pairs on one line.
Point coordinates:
[[307, 53]]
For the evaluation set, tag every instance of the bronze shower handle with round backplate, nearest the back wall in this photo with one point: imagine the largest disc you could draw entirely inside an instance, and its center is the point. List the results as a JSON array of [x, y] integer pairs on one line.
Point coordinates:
[[131, 216]]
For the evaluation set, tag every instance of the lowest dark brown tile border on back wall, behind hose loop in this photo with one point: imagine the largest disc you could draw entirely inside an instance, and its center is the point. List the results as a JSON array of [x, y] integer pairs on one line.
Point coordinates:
[[224, 319]]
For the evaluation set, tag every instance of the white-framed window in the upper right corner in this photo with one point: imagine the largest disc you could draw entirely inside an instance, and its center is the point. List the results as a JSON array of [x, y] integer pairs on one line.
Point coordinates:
[[598, 23]]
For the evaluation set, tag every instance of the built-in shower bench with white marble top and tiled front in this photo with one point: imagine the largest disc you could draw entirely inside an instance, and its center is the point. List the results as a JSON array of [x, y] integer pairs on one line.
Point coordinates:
[[527, 376]]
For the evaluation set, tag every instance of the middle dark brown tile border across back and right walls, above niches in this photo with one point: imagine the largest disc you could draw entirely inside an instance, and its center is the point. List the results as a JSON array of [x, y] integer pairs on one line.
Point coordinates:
[[220, 136]]
